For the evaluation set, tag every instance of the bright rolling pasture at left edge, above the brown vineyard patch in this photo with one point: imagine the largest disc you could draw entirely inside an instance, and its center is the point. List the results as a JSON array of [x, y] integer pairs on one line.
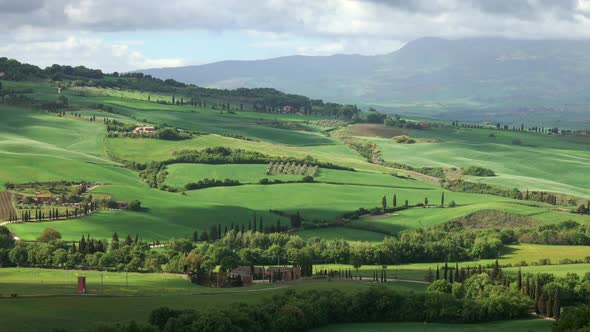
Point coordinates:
[[44, 147]]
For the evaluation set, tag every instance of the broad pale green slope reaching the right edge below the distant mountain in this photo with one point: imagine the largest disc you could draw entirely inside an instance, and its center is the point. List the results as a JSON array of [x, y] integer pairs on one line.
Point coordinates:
[[541, 163]]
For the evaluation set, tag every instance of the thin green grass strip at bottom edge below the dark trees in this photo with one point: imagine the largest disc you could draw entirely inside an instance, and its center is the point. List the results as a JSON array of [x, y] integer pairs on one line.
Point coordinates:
[[532, 325]]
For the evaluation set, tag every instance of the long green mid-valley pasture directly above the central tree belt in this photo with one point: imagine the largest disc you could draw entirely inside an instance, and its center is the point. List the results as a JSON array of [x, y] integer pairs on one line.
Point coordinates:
[[197, 210]]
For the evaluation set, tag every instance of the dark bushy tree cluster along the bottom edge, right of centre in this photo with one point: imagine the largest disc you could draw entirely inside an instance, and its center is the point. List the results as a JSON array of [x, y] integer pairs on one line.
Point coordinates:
[[481, 300]]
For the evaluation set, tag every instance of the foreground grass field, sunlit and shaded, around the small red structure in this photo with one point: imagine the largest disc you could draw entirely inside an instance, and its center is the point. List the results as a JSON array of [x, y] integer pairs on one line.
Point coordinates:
[[74, 312]]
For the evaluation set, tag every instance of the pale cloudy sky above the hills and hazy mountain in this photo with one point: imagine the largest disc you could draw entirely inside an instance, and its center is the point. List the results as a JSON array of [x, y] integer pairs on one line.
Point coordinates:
[[123, 35]]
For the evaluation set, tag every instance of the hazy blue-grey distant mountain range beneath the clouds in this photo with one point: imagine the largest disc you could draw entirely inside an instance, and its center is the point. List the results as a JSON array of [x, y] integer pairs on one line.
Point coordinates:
[[493, 79]]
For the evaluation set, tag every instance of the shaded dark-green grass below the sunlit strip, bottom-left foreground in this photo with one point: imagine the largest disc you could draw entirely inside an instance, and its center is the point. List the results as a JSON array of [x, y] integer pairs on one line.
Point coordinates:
[[75, 312]]
